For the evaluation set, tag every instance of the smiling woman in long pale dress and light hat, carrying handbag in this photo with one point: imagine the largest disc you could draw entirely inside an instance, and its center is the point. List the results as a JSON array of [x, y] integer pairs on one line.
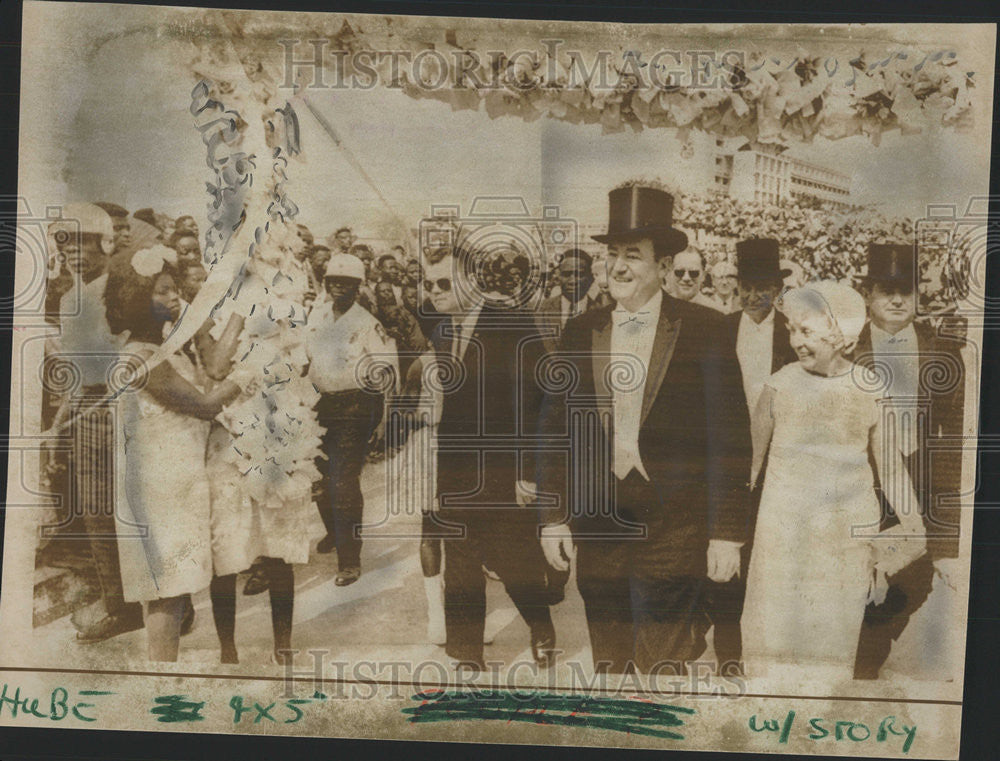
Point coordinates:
[[816, 562]]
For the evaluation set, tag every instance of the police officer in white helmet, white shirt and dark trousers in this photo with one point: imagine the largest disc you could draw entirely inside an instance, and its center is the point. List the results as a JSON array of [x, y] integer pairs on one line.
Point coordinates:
[[350, 355]]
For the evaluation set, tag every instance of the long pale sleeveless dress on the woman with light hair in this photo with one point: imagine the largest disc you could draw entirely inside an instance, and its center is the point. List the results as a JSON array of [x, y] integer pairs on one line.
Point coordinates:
[[809, 574]]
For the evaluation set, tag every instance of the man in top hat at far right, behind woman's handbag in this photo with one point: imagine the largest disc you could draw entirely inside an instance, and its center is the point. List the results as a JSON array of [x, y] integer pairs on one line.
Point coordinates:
[[917, 359]]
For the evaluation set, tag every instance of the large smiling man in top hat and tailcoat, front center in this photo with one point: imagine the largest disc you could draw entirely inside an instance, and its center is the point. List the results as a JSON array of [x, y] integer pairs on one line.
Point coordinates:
[[678, 439]]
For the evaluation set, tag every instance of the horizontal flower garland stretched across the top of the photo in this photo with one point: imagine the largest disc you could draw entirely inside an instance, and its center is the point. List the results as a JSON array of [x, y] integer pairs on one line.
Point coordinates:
[[620, 82]]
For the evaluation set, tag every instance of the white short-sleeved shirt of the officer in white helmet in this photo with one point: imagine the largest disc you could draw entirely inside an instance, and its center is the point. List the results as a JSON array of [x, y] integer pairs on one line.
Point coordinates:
[[341, 348]]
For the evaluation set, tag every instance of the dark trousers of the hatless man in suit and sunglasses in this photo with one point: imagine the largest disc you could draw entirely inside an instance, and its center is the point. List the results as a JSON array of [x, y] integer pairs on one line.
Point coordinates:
[[506, 542]]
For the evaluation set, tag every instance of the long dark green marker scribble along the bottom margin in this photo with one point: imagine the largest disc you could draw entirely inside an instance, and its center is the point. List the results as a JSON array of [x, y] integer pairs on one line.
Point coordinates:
[[617, 715]]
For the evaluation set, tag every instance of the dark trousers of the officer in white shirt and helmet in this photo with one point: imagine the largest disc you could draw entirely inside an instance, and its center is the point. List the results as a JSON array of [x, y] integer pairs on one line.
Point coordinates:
[[350, 418]]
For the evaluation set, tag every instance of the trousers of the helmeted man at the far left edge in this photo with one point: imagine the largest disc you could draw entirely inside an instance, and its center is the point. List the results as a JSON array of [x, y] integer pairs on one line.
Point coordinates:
[[94, 495]]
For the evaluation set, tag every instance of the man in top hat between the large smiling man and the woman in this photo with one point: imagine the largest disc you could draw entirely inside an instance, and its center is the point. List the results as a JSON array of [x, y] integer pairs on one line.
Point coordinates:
[[759, 338]]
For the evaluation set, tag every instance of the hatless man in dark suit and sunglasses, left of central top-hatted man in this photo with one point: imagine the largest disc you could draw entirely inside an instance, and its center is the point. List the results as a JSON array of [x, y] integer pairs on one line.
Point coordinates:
[[485, 442]]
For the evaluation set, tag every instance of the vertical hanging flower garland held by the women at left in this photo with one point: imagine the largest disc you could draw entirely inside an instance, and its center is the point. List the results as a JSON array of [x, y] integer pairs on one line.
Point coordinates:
[[276, 435]]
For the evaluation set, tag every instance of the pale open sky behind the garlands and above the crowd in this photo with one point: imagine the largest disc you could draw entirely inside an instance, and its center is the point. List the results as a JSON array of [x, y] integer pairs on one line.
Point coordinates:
[[131, 140]]
